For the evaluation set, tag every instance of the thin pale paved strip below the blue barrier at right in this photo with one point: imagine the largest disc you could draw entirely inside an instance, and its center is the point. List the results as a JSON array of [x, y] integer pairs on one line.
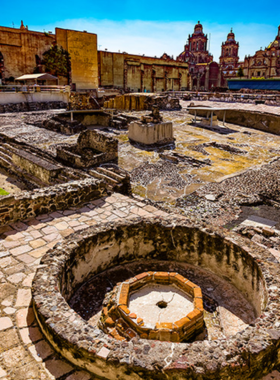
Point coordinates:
[[246, 106]]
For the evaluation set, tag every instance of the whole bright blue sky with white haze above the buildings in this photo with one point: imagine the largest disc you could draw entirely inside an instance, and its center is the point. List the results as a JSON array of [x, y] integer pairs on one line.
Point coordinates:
[[152, 27]]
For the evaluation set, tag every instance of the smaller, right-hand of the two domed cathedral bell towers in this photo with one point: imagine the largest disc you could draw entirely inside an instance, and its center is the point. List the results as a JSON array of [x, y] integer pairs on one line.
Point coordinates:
[[229, 56]]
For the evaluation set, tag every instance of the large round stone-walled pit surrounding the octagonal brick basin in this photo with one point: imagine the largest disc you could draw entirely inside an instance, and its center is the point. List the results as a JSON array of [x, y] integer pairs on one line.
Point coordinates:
[[239, 282]]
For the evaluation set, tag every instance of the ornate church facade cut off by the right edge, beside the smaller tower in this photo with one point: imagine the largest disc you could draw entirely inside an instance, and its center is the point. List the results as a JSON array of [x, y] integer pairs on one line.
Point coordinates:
[[265, 63]]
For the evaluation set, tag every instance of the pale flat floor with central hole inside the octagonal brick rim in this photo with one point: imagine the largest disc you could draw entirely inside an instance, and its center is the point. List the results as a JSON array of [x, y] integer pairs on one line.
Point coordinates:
[[160, 303]]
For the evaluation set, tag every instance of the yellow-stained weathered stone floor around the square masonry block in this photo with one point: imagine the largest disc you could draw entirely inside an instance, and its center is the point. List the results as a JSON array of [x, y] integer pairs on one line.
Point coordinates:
[[217, 156]]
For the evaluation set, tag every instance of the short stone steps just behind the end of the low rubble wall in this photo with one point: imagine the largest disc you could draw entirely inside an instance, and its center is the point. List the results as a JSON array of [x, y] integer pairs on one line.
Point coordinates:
[[115, 178]]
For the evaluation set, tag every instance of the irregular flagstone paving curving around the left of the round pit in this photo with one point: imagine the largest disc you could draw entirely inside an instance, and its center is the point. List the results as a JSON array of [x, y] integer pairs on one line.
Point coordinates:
[[24, 354]]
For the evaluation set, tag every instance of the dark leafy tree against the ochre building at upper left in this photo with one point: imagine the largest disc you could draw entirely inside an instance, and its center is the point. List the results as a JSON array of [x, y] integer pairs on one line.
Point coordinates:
[[57, 61]]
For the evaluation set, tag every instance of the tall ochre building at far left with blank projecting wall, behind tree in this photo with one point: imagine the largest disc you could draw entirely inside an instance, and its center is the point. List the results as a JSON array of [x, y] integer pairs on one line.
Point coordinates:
[[22, 51]]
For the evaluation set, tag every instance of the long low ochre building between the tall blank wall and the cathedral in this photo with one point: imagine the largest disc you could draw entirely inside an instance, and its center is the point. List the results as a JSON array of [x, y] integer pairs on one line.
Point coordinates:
[[140, 73]]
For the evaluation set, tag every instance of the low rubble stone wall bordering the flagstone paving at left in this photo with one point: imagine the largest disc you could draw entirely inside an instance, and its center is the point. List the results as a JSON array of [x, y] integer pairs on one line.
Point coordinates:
[[26, 205]]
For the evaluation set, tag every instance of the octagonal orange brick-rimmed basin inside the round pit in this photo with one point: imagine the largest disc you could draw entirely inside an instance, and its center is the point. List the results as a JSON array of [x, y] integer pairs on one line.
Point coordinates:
[[154, 305]]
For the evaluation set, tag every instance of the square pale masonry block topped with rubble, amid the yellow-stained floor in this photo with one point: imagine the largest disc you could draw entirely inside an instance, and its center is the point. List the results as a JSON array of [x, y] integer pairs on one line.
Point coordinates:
[[151, 130]]
